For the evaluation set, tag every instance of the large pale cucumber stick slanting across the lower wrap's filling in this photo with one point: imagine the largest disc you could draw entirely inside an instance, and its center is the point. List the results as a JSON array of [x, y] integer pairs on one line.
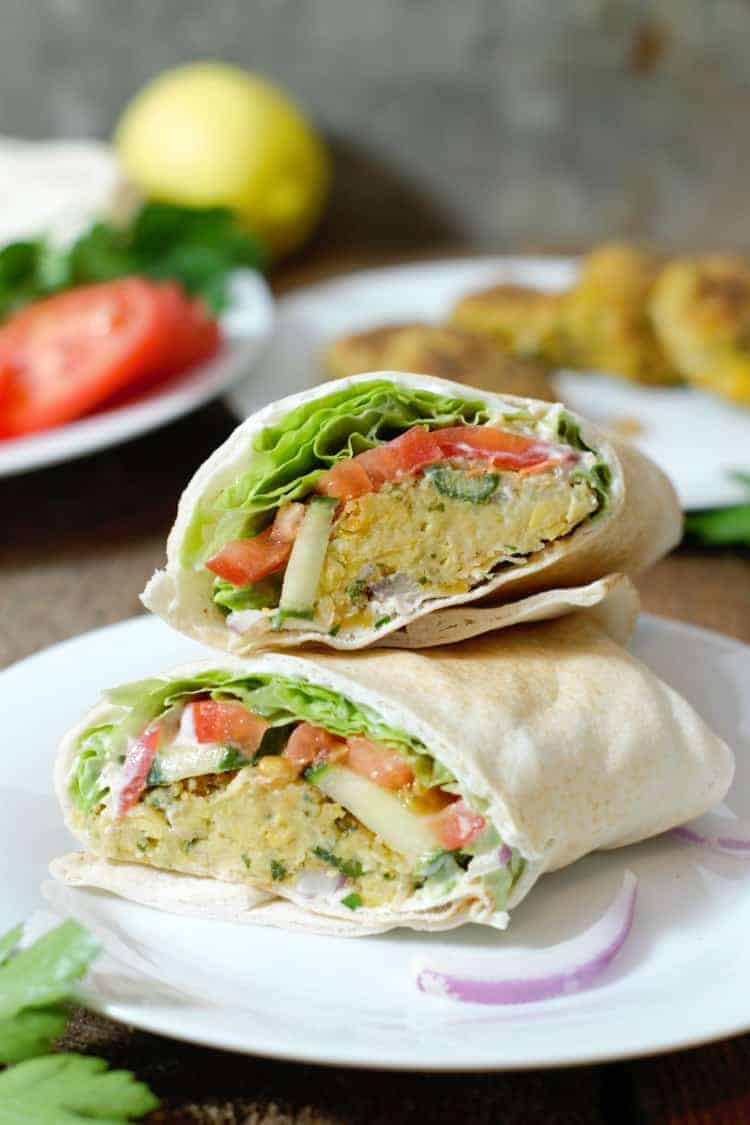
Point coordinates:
[[379, 811]]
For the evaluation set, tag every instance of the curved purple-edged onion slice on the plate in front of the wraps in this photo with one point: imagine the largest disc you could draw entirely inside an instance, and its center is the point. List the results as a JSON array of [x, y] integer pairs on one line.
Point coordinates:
[[529, 977]]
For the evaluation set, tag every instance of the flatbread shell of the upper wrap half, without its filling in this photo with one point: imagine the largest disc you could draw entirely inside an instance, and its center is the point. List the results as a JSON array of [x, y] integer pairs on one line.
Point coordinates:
[[641, 524]]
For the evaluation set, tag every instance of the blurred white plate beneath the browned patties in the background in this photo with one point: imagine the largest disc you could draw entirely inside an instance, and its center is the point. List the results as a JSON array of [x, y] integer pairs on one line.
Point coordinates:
[[698, 439]]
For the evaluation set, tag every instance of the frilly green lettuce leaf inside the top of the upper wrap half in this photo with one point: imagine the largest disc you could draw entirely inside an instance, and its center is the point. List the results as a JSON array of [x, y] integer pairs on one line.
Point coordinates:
[[288, 458]]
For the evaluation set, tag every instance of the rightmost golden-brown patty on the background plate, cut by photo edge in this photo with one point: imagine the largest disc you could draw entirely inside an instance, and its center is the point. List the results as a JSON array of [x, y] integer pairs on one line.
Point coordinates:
[[701, 309]]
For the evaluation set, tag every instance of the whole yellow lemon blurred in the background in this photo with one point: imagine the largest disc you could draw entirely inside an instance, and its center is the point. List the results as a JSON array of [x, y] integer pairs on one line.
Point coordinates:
[[209, 134]]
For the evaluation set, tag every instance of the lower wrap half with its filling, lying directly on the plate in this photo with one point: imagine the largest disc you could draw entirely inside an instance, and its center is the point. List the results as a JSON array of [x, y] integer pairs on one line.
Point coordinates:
[[357, 794]]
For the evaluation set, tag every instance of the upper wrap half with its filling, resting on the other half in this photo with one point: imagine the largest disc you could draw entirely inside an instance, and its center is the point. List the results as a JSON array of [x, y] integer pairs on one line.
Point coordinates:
[[346, 514]]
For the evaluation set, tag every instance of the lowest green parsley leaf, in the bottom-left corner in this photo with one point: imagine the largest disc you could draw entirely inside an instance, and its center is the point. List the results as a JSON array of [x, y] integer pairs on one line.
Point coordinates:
[[69, 1090]]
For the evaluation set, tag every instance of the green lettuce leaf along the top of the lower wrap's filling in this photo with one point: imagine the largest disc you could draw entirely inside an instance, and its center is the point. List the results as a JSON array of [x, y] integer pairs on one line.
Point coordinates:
[[278, 699]]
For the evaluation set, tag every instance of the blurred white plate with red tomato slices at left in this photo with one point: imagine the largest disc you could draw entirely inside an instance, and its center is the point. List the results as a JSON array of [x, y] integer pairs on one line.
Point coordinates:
[[114, 361]]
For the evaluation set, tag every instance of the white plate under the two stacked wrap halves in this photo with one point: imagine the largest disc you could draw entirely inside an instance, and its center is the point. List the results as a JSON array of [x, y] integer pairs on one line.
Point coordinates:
[[683, 977]]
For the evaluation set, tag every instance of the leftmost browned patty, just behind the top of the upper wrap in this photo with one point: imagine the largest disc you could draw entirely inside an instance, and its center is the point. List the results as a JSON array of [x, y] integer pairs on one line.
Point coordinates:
[[441, 350]]
